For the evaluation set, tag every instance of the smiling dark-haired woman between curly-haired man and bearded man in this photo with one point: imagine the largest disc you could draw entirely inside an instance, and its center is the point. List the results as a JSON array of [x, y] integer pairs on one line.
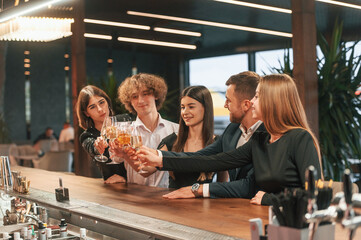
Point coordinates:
[[195, 132]]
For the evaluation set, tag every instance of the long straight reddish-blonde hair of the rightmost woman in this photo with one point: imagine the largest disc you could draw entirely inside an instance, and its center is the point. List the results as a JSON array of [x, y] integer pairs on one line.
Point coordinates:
[[281, 107]]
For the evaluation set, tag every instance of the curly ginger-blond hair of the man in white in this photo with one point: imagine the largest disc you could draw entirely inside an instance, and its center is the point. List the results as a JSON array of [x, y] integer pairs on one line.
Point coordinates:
[[130, 85]]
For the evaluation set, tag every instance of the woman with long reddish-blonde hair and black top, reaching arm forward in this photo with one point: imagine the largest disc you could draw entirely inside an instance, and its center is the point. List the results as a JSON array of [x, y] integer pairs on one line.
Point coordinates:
[[280, 156]]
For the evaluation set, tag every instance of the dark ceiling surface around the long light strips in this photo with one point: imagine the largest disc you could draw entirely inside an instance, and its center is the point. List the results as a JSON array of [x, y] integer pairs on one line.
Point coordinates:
[[214, 40]]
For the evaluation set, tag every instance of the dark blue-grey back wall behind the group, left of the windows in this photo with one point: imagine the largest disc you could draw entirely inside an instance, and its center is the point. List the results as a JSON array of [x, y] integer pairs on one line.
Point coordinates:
[[48, 80]]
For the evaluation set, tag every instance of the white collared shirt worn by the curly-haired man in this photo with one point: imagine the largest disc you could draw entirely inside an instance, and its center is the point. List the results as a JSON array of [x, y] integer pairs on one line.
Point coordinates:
[[152, 140]]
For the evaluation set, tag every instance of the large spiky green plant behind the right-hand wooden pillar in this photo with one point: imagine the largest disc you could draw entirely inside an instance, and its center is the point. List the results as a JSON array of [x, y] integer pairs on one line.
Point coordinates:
[[339, 76]]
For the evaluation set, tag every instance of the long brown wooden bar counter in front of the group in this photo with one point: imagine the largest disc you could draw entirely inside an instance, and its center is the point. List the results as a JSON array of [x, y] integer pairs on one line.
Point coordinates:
[[116, 203]]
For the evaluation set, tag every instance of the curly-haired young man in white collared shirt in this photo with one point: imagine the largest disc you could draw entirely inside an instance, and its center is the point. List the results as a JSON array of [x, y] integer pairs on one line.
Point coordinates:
[[143, 94]]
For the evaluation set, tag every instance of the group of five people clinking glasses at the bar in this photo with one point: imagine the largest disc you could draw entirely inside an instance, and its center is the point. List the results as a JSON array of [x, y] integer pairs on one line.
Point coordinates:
[[267, 146]]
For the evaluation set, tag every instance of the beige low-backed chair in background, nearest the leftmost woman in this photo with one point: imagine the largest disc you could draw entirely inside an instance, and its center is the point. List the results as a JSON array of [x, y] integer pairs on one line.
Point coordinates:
[[60, 161]]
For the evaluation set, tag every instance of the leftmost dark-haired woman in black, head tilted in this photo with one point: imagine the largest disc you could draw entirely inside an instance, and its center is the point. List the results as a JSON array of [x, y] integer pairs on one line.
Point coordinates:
[[92, 106]]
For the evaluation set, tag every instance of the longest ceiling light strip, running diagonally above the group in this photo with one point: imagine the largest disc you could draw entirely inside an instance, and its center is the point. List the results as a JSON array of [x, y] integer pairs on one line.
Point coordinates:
[[213, 24]]
